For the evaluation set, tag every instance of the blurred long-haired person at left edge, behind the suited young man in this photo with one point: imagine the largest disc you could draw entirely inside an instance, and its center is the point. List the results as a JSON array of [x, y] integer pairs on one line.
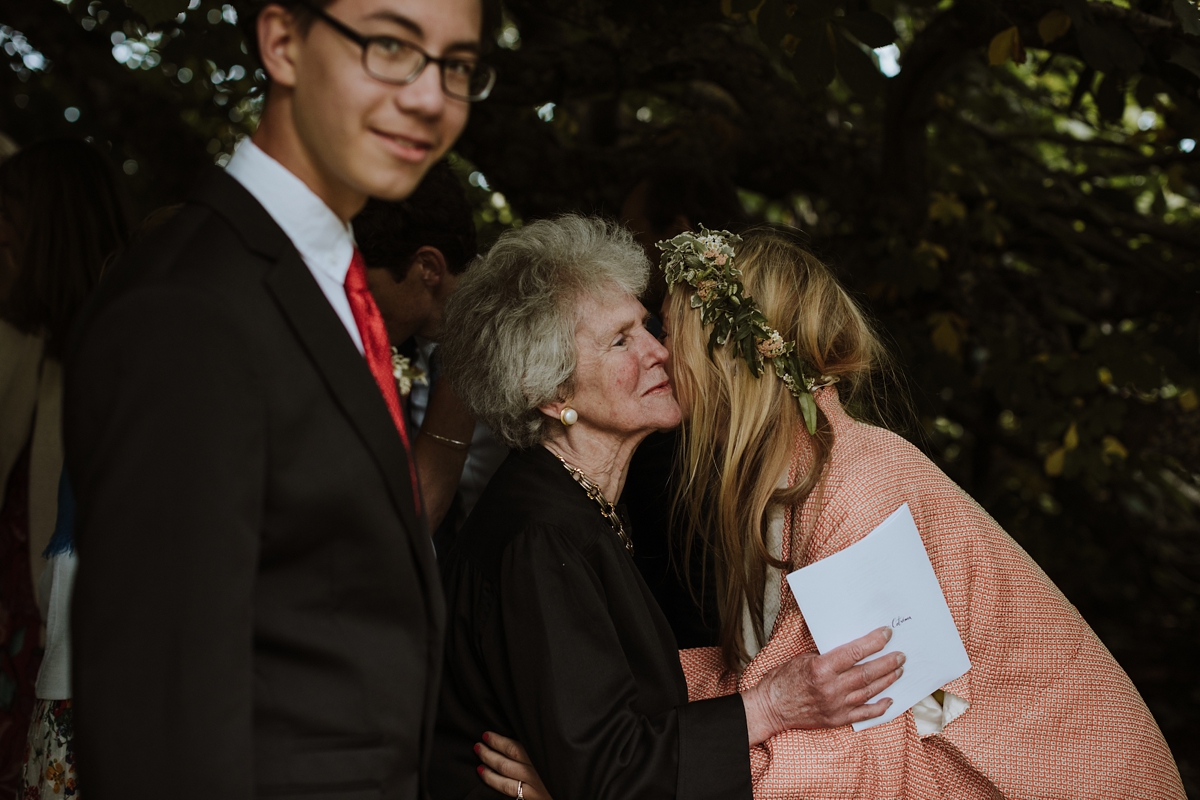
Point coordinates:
[[62, 216]]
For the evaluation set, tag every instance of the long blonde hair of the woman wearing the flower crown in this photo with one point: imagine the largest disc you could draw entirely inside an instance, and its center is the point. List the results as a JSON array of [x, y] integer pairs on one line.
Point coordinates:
[[740, 431]]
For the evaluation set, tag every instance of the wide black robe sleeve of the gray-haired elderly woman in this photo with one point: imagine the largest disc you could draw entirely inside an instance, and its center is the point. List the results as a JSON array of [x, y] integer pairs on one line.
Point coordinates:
[[568, 666]]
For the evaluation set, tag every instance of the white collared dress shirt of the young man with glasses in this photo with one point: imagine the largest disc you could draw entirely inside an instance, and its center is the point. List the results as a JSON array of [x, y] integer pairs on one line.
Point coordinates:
[[326, 244]]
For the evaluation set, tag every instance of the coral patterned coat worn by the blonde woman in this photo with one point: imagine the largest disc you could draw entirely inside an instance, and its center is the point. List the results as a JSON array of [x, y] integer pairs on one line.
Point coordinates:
[[1052, 714]]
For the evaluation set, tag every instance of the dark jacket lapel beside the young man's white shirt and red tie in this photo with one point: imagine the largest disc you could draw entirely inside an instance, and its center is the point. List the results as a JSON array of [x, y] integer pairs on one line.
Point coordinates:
[[325, 338]]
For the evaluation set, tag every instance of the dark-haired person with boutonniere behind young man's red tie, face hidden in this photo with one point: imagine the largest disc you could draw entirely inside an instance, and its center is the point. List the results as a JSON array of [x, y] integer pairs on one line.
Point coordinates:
[[416, 251]]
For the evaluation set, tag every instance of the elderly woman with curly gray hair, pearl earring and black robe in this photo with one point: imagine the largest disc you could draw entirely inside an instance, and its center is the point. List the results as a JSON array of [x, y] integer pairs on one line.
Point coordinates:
[[554, 637]]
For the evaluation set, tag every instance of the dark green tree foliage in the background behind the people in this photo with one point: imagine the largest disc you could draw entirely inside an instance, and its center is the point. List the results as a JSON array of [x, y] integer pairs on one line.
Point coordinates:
[[1017, 207]]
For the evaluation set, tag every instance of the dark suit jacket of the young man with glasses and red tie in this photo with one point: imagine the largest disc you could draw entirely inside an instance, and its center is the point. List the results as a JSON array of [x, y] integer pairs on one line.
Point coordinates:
[[257, 610]]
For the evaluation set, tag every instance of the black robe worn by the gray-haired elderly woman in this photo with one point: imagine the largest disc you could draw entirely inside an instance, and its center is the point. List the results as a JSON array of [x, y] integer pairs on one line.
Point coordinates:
[[556, 641]]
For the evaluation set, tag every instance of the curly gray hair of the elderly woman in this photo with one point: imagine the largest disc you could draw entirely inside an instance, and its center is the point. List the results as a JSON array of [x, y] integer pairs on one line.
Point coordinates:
[[509, 338]]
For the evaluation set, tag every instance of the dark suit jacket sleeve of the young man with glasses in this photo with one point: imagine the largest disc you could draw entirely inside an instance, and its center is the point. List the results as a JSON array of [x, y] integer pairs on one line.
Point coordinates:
[[165, 424]]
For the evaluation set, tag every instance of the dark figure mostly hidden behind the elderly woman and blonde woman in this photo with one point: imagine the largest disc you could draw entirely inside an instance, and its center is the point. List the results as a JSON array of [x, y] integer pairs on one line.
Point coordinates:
[[664, 202]]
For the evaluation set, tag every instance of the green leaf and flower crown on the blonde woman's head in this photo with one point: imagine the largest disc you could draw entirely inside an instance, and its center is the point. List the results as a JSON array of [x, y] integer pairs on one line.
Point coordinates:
[[705, 262]]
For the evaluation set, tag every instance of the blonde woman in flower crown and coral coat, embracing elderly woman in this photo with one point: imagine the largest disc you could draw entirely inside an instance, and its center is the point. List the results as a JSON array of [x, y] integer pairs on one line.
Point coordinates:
[[791, 478]]
